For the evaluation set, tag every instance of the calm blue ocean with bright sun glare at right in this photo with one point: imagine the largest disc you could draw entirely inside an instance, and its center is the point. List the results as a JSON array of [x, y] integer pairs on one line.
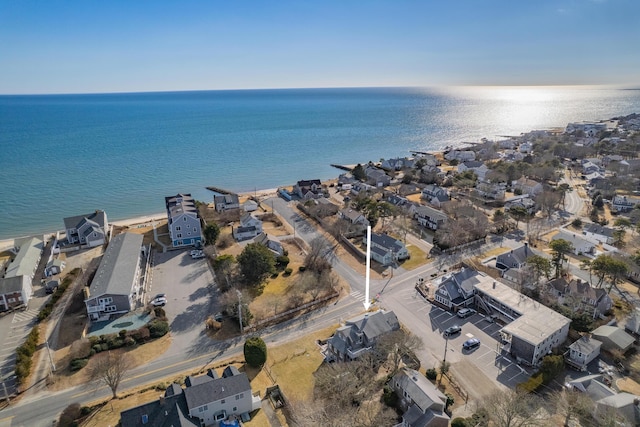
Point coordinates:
[[63, 155]]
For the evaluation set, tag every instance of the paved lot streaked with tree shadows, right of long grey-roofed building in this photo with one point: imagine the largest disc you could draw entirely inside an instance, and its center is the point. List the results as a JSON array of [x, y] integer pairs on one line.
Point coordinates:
[[191, 295]]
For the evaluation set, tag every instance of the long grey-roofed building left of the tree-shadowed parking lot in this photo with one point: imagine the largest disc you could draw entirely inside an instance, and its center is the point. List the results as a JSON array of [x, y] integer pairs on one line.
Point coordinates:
[[114, 288]]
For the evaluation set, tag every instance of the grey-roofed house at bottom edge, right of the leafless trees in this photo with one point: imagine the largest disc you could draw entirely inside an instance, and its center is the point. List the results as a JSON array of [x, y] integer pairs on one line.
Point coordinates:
[[423, 404]]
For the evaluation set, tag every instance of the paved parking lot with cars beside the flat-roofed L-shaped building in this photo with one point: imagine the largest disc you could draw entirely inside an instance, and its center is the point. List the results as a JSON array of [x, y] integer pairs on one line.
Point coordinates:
[[470, 367]]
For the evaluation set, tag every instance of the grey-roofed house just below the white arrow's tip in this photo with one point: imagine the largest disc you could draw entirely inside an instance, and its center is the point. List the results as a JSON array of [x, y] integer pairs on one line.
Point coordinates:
[[359, 335]]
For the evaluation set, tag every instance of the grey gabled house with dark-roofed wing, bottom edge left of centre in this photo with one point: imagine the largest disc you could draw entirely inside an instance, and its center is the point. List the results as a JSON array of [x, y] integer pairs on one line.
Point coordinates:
[[206, 400]]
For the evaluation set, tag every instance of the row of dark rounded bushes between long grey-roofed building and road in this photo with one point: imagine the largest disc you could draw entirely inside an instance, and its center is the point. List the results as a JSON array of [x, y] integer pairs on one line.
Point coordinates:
[[154, 329]]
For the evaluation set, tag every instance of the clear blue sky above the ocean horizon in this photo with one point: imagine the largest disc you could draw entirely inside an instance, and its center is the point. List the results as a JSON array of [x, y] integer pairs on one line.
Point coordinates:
[[128, 46]]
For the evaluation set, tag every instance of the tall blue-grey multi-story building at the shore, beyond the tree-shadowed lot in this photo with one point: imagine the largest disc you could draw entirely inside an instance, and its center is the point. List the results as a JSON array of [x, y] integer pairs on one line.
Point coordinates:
[[185, 225]]
